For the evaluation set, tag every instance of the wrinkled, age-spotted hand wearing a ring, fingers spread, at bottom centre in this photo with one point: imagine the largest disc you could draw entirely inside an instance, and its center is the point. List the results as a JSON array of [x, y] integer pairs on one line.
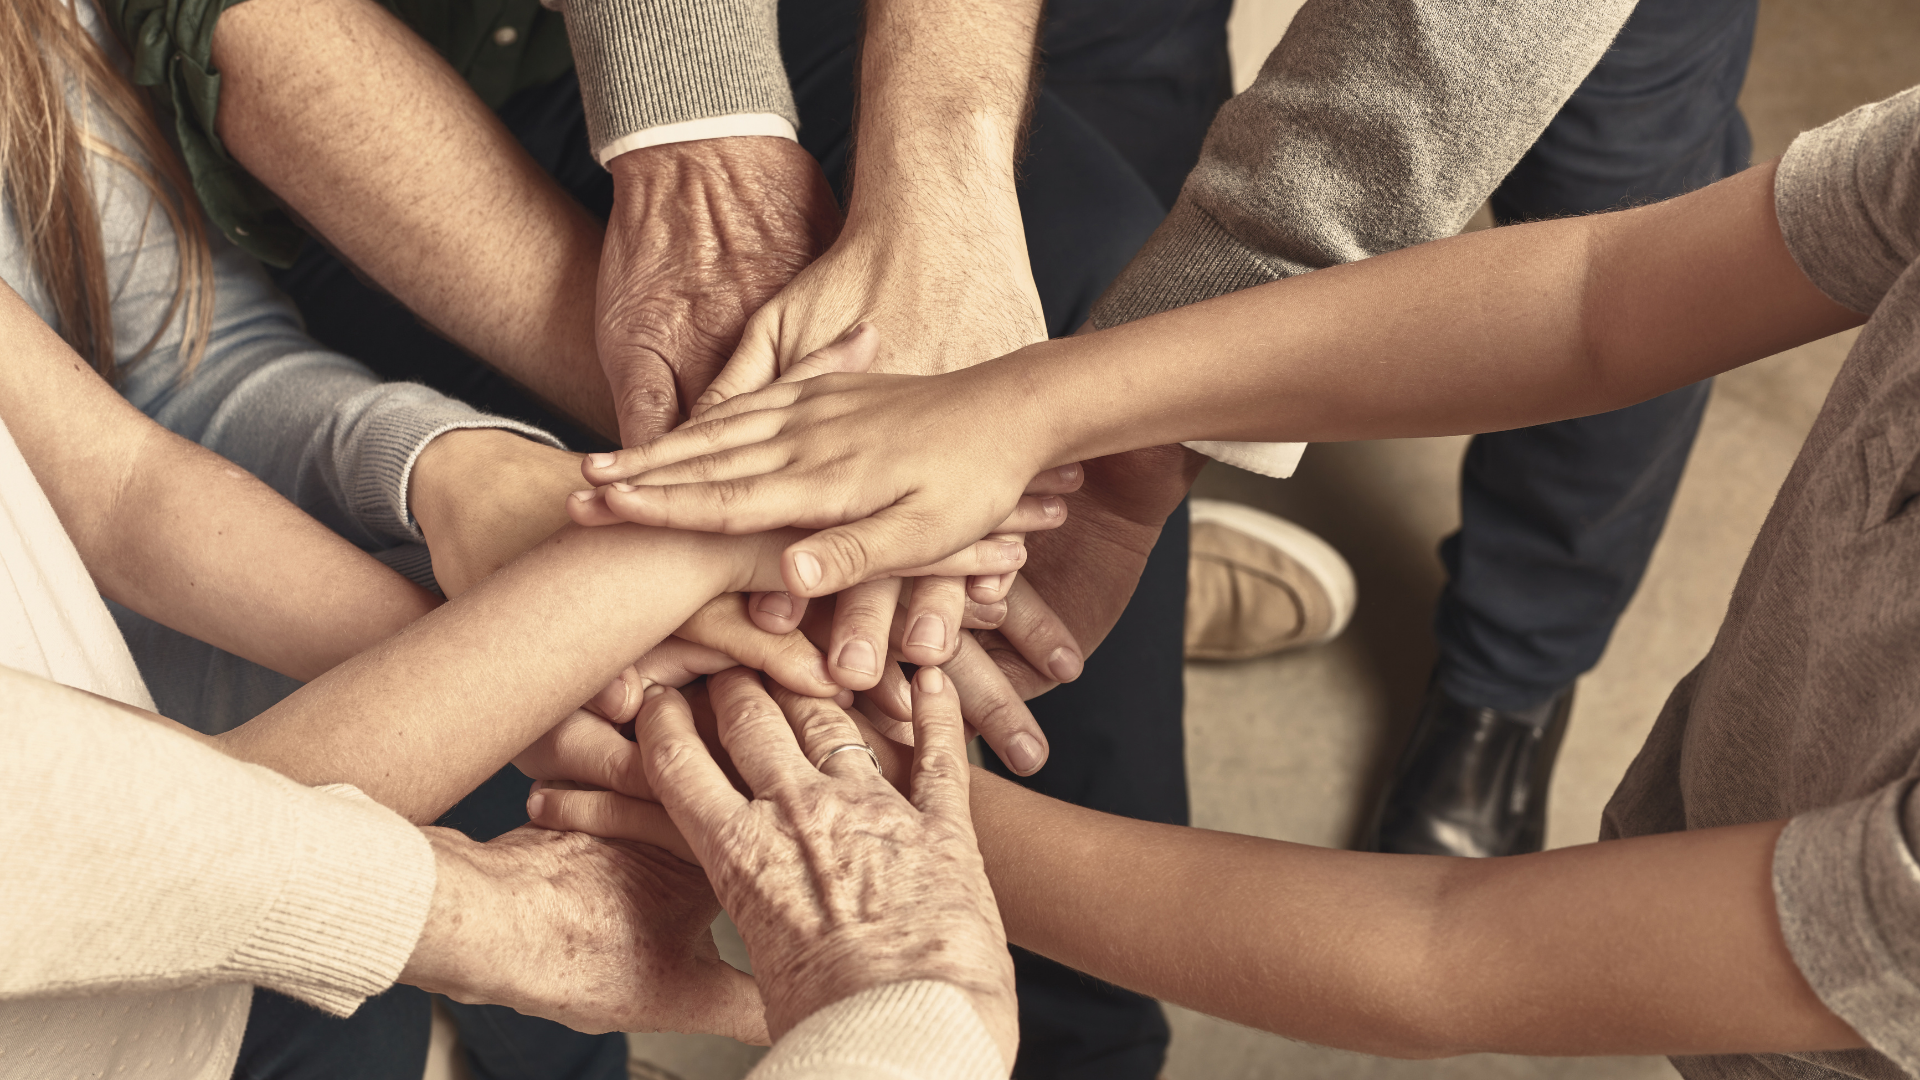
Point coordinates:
[[834, 879]]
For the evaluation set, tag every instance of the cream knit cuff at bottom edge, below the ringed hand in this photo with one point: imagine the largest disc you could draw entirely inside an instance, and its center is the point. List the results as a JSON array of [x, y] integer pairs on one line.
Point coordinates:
[[905, 1031]]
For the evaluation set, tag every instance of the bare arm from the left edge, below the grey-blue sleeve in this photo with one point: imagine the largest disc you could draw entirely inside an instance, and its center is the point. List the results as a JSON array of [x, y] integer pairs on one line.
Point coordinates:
[[143, 508]]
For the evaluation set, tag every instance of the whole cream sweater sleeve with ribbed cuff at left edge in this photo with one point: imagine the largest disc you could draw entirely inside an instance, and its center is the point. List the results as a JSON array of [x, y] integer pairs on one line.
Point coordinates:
[[145, 860]]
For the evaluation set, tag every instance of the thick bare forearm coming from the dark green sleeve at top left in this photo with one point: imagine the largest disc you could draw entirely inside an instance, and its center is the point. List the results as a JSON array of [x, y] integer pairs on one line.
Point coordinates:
[[381, 149]]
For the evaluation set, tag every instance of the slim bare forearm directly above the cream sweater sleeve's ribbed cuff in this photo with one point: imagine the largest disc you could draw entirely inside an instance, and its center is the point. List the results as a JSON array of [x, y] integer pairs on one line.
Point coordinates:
[[429, 714]]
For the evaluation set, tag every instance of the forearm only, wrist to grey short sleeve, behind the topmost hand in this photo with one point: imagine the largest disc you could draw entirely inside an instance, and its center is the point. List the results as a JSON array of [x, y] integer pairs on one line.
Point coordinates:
[[1489, 331]]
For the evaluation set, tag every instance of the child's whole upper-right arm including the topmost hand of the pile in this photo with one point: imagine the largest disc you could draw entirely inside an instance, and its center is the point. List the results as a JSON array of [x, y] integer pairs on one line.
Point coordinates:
[[1489, 331]]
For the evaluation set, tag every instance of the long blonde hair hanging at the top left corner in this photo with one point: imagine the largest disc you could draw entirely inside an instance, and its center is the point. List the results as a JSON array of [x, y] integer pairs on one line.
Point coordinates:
[[51, 61]]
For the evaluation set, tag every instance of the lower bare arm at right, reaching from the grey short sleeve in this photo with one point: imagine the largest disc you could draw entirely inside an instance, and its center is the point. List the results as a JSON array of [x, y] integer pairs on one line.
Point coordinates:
[[1660, 945]]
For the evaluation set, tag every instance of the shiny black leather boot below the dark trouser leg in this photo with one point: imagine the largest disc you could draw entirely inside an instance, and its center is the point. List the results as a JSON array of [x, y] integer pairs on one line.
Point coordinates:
[[1472, 781]]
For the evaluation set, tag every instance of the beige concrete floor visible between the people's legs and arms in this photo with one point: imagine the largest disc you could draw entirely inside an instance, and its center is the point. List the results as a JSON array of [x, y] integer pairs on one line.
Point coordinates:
[[1295, 747]]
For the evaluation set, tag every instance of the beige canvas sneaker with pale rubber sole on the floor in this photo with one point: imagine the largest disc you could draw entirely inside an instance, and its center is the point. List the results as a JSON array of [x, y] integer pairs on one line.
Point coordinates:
[[1259, 585]]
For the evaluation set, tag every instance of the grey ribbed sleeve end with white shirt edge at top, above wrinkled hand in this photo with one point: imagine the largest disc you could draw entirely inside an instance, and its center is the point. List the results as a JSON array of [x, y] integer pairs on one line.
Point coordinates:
[[658, 62]]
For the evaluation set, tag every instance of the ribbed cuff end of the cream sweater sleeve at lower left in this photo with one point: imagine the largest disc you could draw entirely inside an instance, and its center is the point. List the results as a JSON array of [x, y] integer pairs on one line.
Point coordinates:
[[358, 891]]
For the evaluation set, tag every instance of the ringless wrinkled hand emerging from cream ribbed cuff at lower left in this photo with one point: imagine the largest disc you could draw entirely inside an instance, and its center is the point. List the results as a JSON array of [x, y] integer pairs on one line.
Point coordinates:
[[596, 935]]
